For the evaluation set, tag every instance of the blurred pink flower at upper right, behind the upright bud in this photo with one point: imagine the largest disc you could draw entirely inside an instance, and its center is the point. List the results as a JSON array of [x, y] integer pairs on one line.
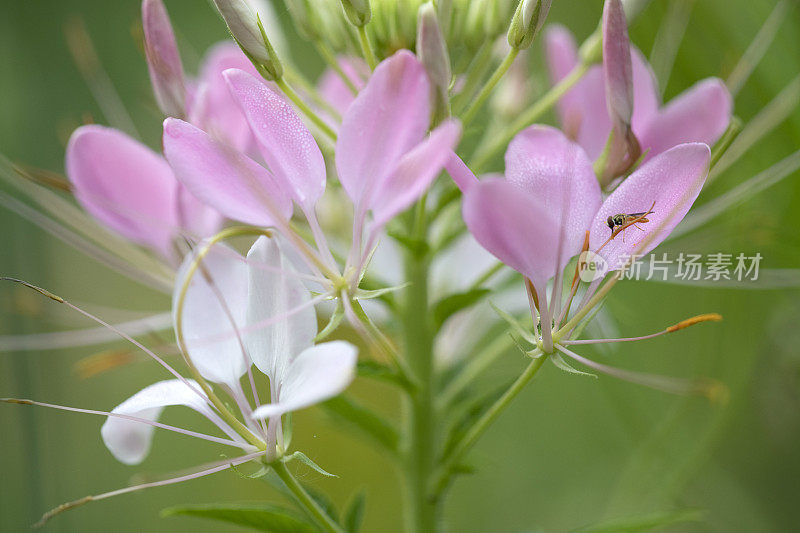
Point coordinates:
[[699, 114]]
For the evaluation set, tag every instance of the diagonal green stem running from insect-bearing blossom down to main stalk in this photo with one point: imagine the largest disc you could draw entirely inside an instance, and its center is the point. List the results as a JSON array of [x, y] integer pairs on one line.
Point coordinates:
[[475, 432]]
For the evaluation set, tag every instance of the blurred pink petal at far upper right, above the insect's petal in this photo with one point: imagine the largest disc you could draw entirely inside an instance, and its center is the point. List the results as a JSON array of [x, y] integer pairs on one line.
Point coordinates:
[[699, 114]]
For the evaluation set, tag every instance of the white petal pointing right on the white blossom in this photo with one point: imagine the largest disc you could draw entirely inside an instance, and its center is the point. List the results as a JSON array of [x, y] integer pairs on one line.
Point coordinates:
[[319, 373]]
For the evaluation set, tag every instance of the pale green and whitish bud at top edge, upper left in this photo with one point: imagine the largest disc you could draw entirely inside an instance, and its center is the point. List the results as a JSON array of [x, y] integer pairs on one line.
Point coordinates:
[[248, 32]]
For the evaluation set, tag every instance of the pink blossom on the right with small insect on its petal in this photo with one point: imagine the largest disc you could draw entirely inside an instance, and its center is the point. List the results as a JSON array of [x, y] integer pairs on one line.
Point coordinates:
[[548, 208]]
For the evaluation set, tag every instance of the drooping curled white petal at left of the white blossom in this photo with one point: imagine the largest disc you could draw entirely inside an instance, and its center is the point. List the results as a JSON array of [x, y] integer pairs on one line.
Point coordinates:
[[129, 441]]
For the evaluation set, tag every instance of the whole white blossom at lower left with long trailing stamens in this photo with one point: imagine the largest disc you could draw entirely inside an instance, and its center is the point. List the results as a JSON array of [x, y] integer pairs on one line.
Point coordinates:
[[230, 313]]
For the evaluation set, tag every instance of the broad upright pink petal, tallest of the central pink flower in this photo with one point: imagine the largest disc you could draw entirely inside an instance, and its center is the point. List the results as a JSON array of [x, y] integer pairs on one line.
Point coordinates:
[[389, 117]]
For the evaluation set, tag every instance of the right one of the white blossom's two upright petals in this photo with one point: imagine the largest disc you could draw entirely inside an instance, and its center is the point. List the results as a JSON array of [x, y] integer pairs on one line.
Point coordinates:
[[274, 291]]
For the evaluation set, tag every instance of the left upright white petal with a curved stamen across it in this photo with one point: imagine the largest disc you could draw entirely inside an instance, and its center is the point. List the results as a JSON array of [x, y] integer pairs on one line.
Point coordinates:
[[217, 293]]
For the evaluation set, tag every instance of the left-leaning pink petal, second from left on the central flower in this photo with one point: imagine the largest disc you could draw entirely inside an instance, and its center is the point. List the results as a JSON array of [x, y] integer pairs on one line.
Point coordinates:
[[288, 148]]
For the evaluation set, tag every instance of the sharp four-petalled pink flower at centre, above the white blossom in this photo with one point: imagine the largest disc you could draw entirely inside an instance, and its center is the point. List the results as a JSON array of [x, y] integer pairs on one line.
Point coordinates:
[[384, 155]]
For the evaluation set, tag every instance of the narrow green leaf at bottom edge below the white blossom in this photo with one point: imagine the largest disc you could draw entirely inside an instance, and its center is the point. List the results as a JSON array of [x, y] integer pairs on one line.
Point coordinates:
[[261, 517]]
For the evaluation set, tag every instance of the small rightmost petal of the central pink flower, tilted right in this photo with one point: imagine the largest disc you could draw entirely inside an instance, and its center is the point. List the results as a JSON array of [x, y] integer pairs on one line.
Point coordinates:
[[414, 173]]
